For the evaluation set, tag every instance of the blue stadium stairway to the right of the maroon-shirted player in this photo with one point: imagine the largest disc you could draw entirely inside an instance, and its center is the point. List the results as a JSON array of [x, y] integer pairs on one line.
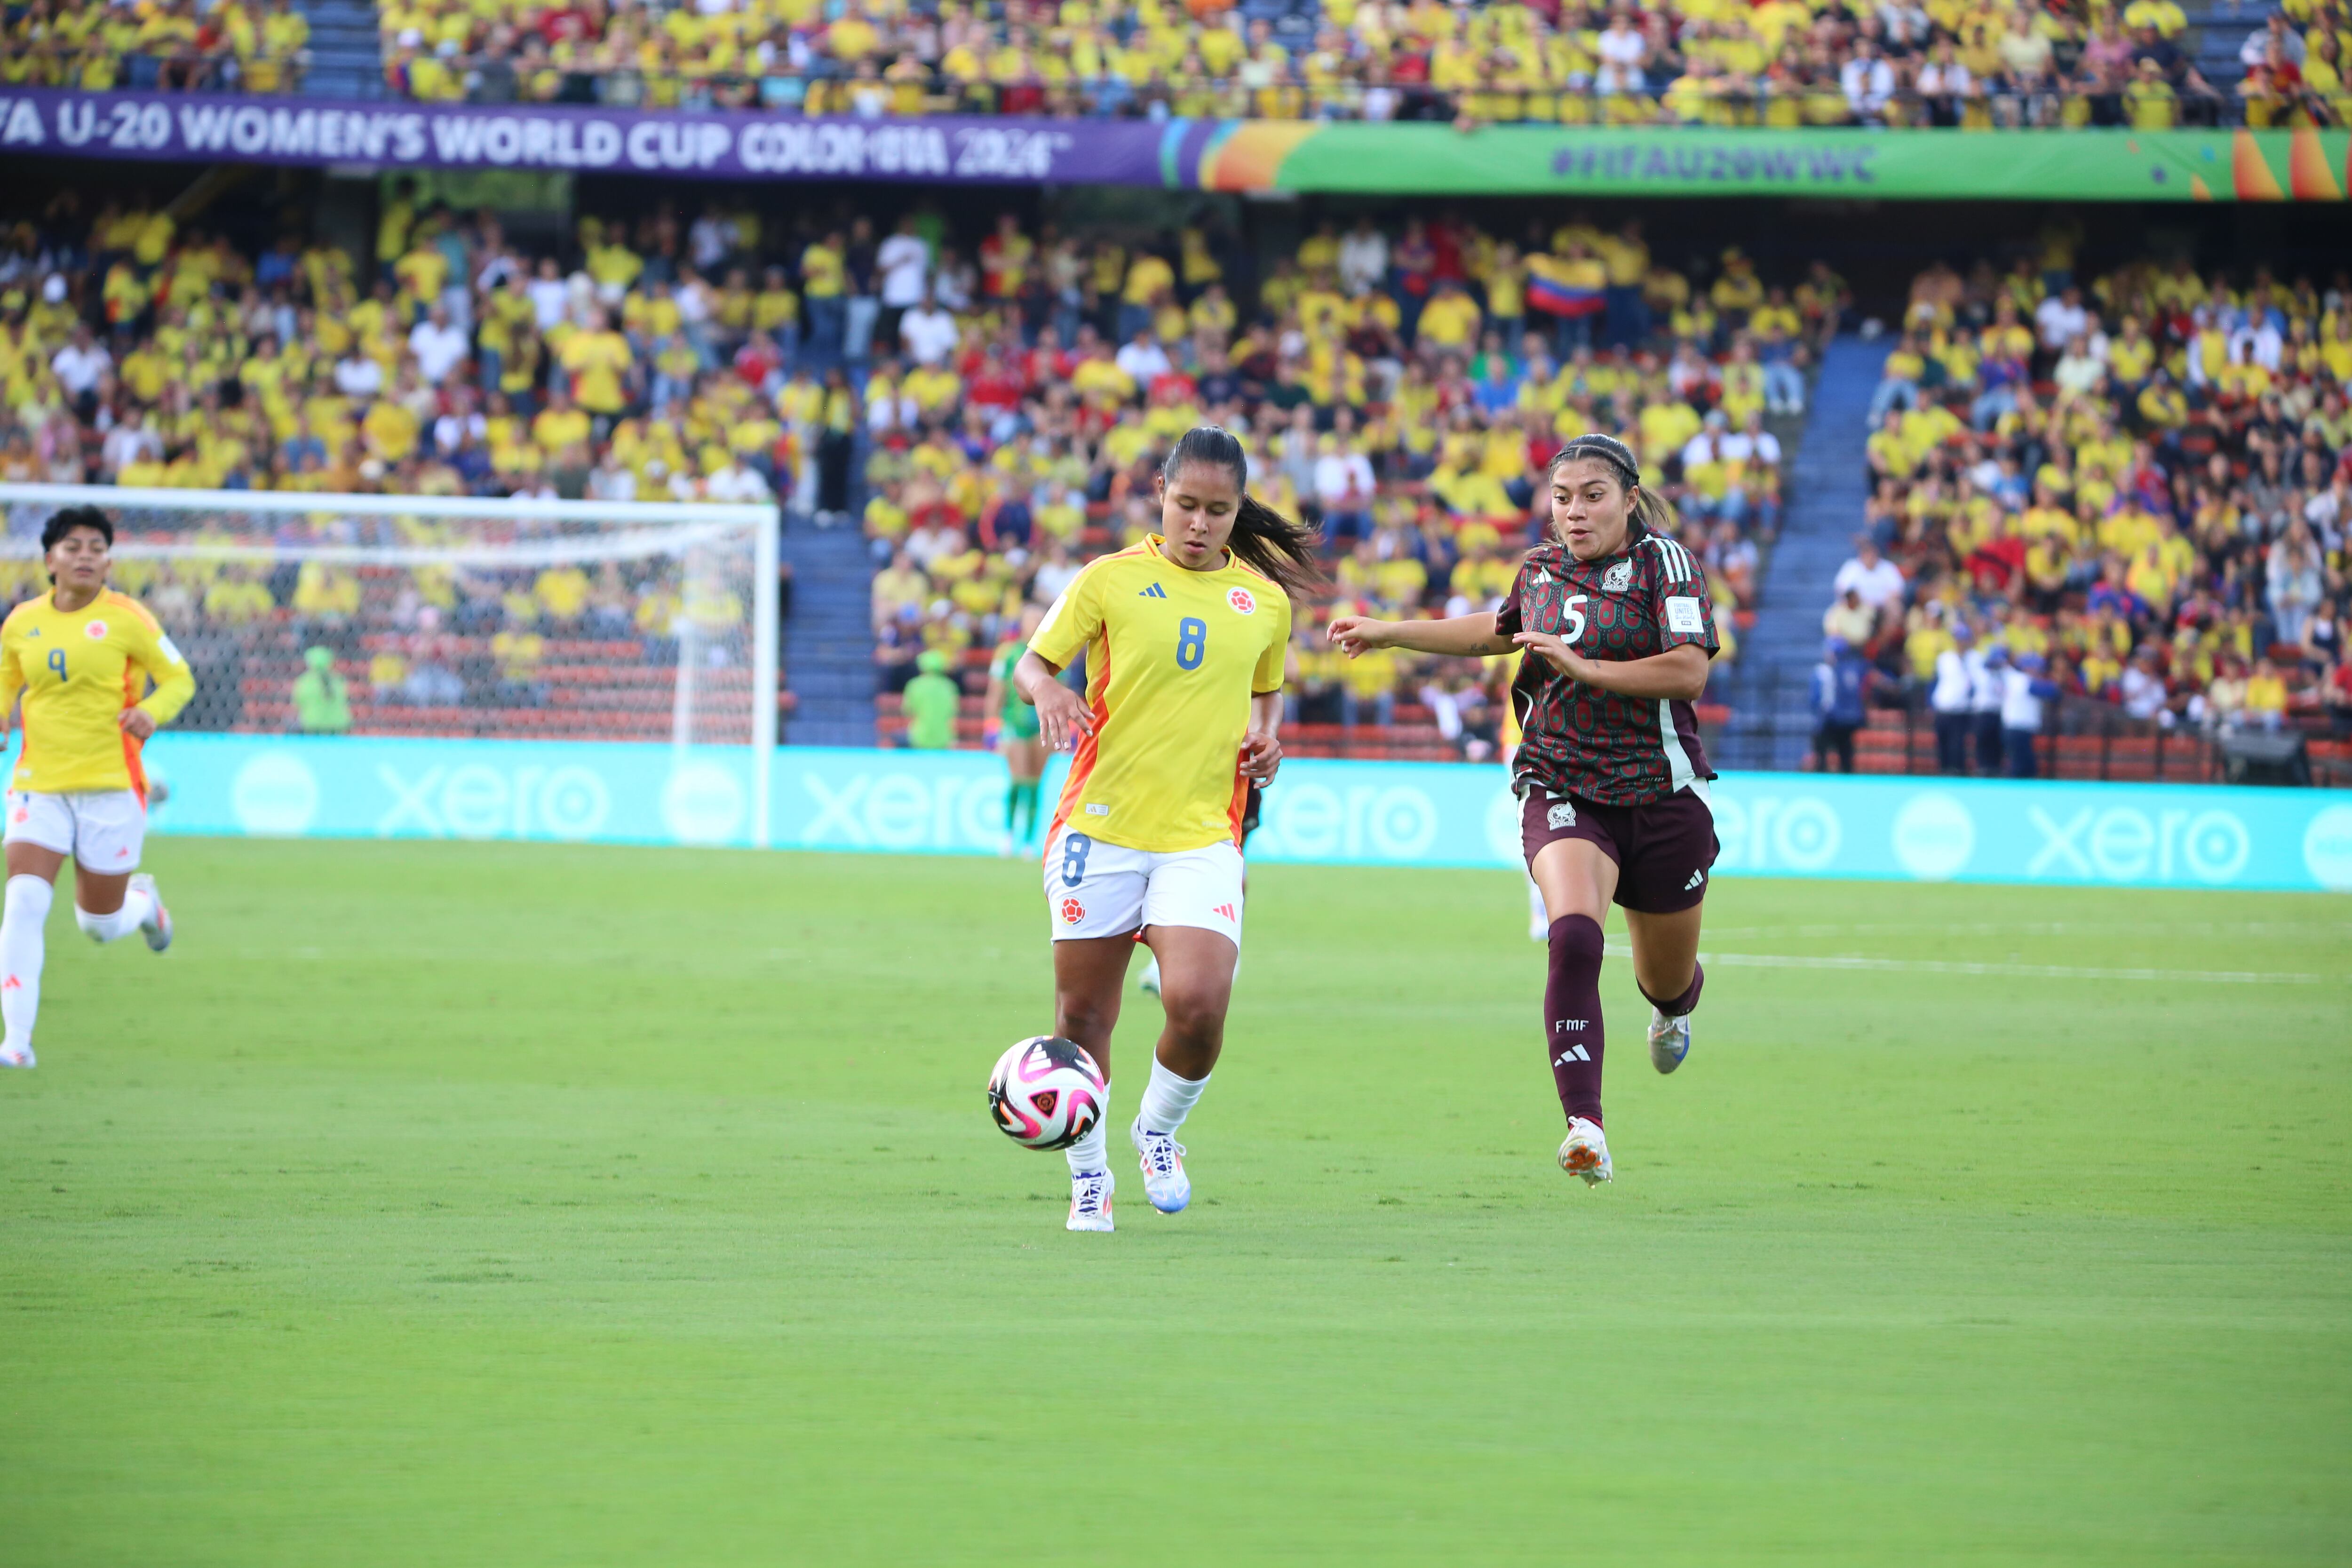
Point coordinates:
[[1829, 485]]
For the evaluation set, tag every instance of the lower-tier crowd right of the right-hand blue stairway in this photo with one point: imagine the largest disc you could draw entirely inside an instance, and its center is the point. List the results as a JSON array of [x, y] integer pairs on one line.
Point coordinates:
[[2111, 500]]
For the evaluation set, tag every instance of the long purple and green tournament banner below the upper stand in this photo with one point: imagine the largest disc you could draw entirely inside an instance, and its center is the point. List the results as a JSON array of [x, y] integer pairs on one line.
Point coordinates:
[[2087, 166]]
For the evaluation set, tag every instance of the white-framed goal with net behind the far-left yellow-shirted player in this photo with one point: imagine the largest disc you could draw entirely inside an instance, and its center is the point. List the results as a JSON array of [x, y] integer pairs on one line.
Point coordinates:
[[448, 617]]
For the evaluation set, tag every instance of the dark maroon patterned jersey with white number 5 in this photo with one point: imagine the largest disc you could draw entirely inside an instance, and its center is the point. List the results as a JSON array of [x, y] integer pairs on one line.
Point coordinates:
[[1608, 749]]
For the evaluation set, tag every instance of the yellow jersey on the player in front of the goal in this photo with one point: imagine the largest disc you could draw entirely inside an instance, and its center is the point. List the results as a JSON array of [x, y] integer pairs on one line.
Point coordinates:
[[79, 671]]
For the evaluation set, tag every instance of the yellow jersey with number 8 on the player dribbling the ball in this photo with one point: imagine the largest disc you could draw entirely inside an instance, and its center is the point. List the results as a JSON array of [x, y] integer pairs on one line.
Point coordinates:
[[1172, 662]]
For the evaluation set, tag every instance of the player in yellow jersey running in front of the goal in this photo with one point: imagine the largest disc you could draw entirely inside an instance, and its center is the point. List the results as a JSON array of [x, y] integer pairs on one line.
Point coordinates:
[[83, 659]]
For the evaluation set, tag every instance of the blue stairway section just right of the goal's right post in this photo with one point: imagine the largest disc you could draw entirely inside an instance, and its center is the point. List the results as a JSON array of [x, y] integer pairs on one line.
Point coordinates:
[[829, 638]]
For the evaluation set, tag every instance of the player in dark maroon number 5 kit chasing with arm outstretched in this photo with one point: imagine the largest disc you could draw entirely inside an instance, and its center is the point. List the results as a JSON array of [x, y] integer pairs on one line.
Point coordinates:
[[1610, 772]]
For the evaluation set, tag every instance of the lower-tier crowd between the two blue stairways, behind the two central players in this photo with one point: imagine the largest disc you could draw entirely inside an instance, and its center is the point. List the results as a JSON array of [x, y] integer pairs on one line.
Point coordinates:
[[1394, 387]]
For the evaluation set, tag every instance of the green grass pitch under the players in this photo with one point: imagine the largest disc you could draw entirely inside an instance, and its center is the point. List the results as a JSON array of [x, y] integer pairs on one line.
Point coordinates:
[[512, 1205]]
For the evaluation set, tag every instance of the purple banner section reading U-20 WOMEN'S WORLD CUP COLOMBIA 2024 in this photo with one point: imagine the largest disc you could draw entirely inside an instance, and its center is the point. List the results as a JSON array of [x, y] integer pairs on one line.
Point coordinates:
[[399, 135]]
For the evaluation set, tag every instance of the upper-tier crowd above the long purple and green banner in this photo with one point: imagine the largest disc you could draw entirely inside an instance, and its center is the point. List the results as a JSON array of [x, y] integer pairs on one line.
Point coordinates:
[[1695, 62]]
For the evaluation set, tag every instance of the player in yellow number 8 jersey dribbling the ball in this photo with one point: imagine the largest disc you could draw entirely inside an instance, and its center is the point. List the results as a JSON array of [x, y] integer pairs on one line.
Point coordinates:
[[1184, 641]]
